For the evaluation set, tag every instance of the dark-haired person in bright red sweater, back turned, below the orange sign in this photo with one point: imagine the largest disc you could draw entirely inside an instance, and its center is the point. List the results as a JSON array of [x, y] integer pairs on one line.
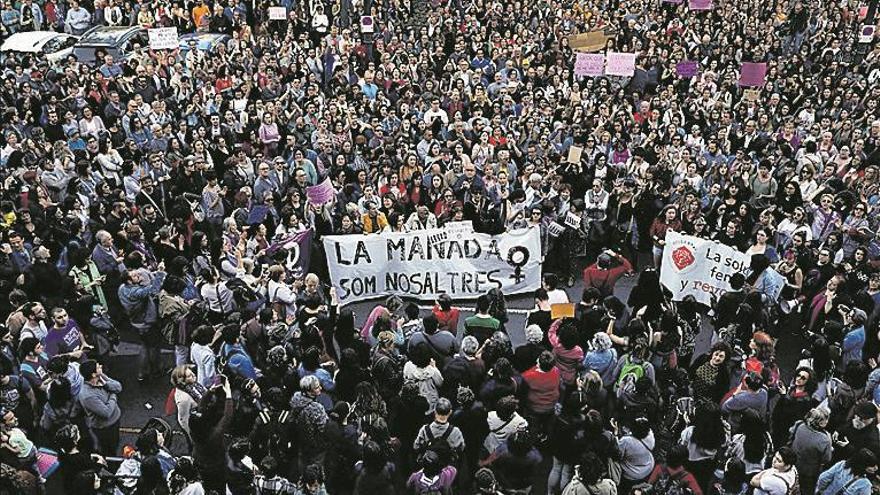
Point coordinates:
[[543, 383]]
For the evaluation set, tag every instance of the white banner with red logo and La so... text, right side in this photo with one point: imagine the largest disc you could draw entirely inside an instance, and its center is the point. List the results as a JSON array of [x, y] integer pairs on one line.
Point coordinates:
[[697, 267]]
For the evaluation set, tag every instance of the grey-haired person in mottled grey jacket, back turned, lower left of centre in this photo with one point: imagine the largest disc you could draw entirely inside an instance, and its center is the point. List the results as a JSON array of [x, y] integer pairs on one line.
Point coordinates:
[[310, 419]]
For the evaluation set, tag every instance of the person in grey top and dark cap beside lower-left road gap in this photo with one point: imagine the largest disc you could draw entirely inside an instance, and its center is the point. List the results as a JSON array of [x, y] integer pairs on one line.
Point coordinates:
[[99, 399]]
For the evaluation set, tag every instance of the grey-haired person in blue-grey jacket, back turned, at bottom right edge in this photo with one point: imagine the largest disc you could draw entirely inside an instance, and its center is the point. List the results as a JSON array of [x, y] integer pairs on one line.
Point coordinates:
[[812, 442]]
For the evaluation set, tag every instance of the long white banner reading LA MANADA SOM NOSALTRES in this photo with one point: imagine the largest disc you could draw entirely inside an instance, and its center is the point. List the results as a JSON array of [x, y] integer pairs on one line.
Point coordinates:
[[425, 263]]
